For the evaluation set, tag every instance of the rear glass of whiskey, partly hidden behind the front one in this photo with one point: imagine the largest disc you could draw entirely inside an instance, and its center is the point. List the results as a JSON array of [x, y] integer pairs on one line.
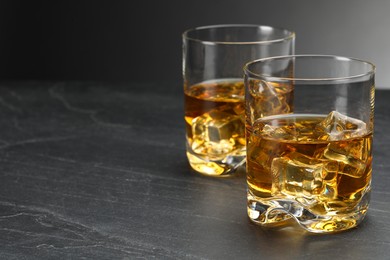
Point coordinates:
[[213, 58]]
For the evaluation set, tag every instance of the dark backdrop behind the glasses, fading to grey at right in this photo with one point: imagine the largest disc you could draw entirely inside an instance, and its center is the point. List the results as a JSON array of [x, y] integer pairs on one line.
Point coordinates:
[[141, 40]]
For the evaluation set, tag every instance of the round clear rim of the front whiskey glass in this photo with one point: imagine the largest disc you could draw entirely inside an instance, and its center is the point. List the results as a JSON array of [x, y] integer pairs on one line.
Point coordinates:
[[324, 79]]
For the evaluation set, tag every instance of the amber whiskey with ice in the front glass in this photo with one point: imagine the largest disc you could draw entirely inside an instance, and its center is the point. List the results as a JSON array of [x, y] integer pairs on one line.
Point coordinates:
[[316, 168]]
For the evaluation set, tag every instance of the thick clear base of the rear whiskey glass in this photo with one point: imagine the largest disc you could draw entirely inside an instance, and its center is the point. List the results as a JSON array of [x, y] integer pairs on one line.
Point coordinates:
[[225, 167]]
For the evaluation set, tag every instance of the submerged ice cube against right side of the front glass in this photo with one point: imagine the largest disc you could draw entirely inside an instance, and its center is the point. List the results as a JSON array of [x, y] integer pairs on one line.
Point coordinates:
[[352, 156]]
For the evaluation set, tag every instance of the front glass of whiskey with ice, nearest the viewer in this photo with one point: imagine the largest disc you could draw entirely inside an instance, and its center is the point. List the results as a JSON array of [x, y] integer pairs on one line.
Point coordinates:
[[309, 127]]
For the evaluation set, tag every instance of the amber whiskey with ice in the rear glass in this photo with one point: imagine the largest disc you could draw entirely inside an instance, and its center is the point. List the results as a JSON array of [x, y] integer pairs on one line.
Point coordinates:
[[214, 117]]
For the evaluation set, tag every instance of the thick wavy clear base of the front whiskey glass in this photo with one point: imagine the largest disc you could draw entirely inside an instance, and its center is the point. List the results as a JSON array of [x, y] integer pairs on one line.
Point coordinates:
[[275, 211]]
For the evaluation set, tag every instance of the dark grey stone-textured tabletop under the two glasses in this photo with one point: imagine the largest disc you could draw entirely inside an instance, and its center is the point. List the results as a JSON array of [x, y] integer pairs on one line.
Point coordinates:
[[98, 171]]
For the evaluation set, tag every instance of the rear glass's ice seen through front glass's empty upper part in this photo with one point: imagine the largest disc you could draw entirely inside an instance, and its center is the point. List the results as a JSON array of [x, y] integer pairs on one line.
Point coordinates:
[[267, 99]]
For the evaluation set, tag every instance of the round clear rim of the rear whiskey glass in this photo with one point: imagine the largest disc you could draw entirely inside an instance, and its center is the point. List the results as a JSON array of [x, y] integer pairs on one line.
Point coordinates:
[[290, 34]]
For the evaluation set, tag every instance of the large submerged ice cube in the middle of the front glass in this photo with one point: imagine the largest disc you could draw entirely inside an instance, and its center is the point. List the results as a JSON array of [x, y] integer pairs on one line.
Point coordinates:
[[306, 178]]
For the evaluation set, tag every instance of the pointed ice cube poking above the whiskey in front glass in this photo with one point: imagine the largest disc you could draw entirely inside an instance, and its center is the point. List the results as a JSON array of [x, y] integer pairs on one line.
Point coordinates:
[[337, 126]]
